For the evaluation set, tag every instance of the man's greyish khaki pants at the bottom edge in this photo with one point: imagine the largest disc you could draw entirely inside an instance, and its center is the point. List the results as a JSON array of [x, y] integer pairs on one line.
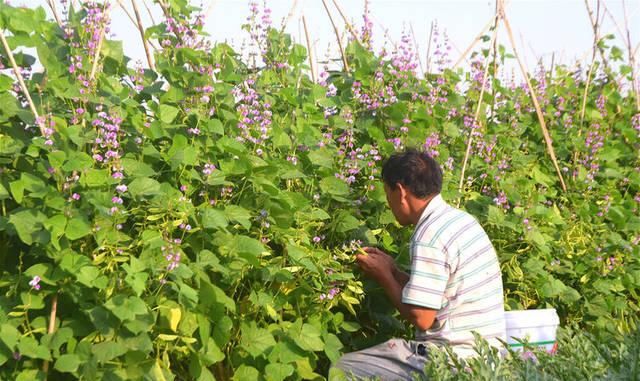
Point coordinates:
[[396, 359]]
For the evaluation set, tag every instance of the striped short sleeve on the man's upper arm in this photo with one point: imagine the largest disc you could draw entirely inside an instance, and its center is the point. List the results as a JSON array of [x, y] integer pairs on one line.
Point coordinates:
[[429, 277]]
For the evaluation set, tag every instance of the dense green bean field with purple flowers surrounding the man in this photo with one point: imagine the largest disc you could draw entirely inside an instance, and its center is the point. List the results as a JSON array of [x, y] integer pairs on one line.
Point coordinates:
[[195, 216]]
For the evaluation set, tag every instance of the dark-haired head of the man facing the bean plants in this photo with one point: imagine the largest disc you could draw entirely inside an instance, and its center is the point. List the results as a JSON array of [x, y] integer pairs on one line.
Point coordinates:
[[411, 178]]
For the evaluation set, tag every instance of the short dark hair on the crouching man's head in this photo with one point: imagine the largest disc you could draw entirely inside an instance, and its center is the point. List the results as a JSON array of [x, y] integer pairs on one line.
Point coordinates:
[[414, 169]]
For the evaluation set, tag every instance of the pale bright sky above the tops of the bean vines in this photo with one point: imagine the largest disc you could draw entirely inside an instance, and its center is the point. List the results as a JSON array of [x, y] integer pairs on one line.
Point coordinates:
[[542, 28]]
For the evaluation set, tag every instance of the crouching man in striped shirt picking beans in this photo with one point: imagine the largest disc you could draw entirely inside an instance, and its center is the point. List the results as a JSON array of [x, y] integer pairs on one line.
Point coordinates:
[[454, 286]]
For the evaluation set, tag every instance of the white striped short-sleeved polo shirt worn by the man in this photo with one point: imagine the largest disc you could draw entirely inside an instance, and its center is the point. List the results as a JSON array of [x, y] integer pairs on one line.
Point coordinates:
[[455, 270]]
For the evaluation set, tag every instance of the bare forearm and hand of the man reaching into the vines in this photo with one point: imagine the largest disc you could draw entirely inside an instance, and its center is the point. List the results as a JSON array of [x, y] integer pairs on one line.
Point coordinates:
[[383, 269]]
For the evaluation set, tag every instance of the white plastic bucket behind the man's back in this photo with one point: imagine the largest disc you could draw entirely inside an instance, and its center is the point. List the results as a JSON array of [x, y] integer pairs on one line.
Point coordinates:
[[537, 327]]
